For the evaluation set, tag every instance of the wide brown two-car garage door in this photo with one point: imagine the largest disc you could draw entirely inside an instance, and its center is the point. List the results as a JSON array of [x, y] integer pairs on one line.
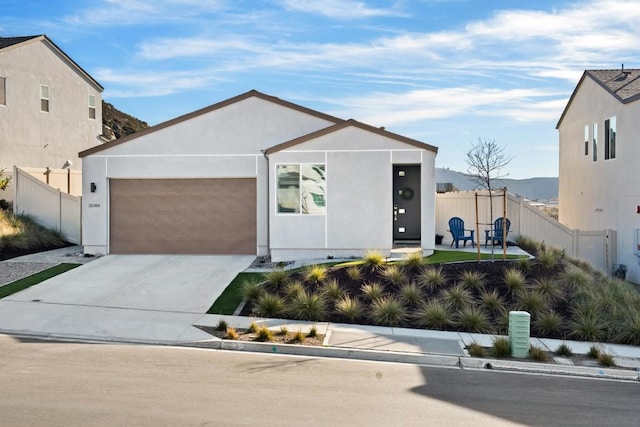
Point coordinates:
[[183, 216]]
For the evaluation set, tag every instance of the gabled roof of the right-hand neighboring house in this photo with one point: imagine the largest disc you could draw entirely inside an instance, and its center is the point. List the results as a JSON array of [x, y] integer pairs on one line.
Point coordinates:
[[622, 84]]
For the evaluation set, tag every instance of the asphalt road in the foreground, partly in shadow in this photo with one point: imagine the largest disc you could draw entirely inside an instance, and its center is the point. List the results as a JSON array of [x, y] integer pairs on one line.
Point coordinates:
[[48, 383]]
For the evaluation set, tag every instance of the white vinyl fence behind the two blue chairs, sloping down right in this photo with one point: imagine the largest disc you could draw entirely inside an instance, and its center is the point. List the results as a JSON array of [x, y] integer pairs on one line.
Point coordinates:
[[594, 246]]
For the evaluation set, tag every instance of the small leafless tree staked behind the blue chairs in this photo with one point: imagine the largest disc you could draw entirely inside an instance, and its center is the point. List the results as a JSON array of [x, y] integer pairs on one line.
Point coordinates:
[[485, 161]]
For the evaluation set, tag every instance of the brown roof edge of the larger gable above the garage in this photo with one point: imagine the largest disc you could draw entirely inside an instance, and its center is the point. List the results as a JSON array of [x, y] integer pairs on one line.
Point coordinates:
[[251, 93]]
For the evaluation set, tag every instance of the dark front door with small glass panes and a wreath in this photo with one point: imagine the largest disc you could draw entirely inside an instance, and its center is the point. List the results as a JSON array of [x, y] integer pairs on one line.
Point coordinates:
[[406, 203]]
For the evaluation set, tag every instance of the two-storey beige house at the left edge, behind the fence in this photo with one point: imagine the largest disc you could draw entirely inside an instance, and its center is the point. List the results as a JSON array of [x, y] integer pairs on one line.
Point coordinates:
[[50, 108]]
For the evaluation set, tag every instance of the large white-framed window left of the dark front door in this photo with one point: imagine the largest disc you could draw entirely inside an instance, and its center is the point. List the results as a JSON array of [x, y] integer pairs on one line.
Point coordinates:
[[301, 188]]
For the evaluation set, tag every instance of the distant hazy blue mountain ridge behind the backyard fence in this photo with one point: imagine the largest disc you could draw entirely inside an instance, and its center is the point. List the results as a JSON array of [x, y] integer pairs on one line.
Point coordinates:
[[532, 188]]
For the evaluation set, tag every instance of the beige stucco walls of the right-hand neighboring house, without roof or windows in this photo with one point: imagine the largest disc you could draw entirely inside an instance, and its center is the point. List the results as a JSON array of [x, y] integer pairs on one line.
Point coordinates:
[[605, 193]]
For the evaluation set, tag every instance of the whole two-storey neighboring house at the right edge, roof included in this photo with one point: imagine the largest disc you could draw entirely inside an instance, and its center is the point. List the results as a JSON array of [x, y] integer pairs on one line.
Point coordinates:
[[599, 158]]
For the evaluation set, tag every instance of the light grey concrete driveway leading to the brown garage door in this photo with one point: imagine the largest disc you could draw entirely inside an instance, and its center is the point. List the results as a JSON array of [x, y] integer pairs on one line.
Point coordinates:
[[152, 298]]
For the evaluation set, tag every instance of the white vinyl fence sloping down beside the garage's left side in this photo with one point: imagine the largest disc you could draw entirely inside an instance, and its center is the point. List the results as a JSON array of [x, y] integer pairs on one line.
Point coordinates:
[[47, 205]]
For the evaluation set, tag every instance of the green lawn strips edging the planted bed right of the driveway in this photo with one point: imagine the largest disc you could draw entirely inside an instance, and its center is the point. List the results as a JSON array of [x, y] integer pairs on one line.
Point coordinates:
[[231, 298]]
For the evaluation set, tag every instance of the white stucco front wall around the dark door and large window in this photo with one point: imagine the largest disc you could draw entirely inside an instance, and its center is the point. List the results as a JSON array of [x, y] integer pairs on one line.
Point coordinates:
[[359, 213]]
